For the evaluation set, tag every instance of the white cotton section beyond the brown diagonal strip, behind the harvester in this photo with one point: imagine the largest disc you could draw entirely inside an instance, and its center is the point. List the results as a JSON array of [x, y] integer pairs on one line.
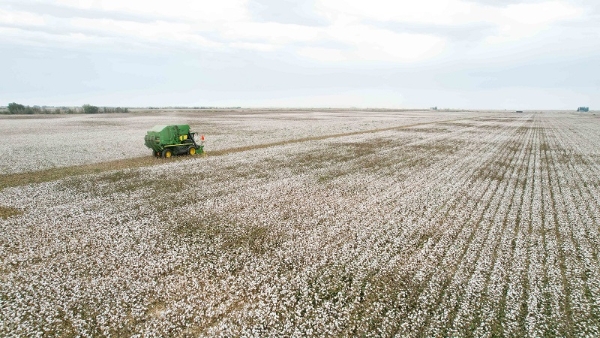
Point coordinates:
[[42, 143]]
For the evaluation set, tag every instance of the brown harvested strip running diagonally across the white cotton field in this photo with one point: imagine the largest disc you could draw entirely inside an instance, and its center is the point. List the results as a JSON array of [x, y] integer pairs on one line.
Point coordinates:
[[48, 175]]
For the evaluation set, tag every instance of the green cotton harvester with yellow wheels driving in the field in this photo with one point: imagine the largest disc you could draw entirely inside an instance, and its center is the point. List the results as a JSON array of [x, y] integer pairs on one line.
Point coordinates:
[[166, 141]]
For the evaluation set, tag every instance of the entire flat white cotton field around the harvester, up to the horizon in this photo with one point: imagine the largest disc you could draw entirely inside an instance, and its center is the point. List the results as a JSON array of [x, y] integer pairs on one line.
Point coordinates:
[[302, 223]]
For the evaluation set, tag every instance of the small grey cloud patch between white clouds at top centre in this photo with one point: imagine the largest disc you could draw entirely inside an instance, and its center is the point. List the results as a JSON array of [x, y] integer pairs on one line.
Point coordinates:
[[286, 11]]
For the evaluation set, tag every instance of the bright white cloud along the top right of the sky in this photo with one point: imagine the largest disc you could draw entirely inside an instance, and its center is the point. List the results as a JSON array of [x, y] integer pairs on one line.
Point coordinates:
[[512, 22]]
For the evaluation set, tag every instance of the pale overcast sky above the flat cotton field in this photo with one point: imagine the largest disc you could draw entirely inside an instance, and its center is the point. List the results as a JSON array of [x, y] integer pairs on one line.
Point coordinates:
[[511, 54]]
